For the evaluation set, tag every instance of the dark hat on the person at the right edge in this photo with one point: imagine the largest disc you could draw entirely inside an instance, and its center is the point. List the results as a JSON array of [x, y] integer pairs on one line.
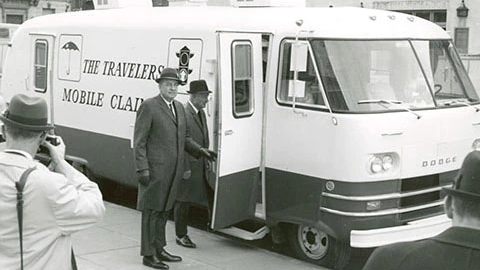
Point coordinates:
[[467, 182]]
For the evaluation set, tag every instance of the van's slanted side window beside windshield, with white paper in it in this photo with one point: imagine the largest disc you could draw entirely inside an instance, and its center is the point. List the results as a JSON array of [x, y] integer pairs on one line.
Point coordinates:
[[308, 92]]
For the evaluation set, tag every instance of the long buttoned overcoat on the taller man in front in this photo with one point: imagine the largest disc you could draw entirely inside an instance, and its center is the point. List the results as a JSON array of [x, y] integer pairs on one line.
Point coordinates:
[[160, 140]]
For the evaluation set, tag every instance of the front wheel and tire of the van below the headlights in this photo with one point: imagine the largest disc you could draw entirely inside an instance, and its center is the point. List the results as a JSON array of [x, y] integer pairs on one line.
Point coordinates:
[[315, 246]]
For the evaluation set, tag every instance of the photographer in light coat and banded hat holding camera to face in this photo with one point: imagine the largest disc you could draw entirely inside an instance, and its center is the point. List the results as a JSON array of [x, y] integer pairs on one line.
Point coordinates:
[[57, 201]]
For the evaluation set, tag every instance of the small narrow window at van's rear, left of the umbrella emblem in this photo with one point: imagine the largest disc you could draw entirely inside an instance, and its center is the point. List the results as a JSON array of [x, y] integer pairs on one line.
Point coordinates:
[[40, 65]]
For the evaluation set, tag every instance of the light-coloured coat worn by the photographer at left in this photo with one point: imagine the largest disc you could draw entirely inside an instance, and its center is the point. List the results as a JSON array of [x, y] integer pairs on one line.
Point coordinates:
[[54, 207]]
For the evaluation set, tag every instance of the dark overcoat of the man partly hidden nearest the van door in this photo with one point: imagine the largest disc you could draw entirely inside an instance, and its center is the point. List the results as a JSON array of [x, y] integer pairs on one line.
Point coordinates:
[[193, 188]]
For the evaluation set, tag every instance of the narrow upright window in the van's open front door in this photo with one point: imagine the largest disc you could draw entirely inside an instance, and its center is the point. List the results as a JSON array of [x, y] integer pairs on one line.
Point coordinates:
[[242, 78]]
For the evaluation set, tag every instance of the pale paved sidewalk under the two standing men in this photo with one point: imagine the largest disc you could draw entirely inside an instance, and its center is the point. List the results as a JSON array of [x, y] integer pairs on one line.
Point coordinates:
[[114, 244]]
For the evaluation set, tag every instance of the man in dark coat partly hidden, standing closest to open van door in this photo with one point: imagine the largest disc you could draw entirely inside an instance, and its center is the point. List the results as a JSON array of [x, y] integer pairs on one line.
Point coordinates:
[[193, 187]]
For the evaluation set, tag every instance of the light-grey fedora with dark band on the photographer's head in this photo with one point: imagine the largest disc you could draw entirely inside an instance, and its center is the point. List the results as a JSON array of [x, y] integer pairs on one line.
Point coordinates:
[[30, 113]]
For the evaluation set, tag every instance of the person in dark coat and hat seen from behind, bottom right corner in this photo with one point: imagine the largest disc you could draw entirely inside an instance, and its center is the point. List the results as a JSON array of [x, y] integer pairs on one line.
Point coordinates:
[[457, 248]]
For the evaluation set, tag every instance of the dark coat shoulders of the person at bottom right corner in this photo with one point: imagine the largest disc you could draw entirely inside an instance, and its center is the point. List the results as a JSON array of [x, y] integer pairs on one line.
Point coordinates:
[[457, 248]]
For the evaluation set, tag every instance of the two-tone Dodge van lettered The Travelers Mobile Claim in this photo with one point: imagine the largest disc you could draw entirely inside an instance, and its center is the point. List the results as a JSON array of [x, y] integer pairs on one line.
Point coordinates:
[[335, 127]]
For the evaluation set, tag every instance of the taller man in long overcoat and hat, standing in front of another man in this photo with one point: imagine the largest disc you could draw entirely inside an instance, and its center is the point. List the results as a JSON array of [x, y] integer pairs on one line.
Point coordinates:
[[160, 139]]
